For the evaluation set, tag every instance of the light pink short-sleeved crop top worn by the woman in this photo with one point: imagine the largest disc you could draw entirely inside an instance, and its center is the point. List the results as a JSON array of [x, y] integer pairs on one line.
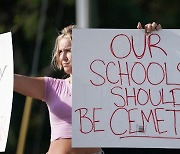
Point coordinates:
[[58, 96]]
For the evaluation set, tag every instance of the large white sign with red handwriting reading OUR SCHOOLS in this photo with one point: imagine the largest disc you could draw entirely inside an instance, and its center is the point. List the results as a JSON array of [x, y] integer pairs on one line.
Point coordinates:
[[126, 88]]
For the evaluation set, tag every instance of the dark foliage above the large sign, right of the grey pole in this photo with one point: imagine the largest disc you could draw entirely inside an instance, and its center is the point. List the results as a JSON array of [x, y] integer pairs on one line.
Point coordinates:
[[126, 14]]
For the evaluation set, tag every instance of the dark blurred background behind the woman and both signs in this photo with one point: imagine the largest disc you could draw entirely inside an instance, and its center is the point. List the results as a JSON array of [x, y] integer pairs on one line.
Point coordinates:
[[35, 24]]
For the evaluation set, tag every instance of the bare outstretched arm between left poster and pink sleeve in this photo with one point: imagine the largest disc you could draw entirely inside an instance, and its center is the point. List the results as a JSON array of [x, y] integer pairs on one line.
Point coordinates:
[[29, 86]]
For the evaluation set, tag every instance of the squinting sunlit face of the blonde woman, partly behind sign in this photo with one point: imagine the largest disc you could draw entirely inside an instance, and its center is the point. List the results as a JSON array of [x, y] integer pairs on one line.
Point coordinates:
[[64, 54]]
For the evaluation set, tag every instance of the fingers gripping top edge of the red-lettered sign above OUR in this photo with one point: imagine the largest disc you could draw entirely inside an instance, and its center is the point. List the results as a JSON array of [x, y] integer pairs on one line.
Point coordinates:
[[150, 27]]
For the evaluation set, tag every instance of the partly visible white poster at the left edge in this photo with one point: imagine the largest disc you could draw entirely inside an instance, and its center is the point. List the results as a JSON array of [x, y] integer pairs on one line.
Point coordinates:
[[6, 86]]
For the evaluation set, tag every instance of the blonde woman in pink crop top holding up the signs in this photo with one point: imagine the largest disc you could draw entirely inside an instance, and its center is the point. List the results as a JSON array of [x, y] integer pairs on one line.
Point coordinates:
[[57, 93]]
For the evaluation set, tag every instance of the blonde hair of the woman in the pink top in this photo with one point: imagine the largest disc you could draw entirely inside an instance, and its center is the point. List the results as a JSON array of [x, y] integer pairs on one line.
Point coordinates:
[[66, 32]]
